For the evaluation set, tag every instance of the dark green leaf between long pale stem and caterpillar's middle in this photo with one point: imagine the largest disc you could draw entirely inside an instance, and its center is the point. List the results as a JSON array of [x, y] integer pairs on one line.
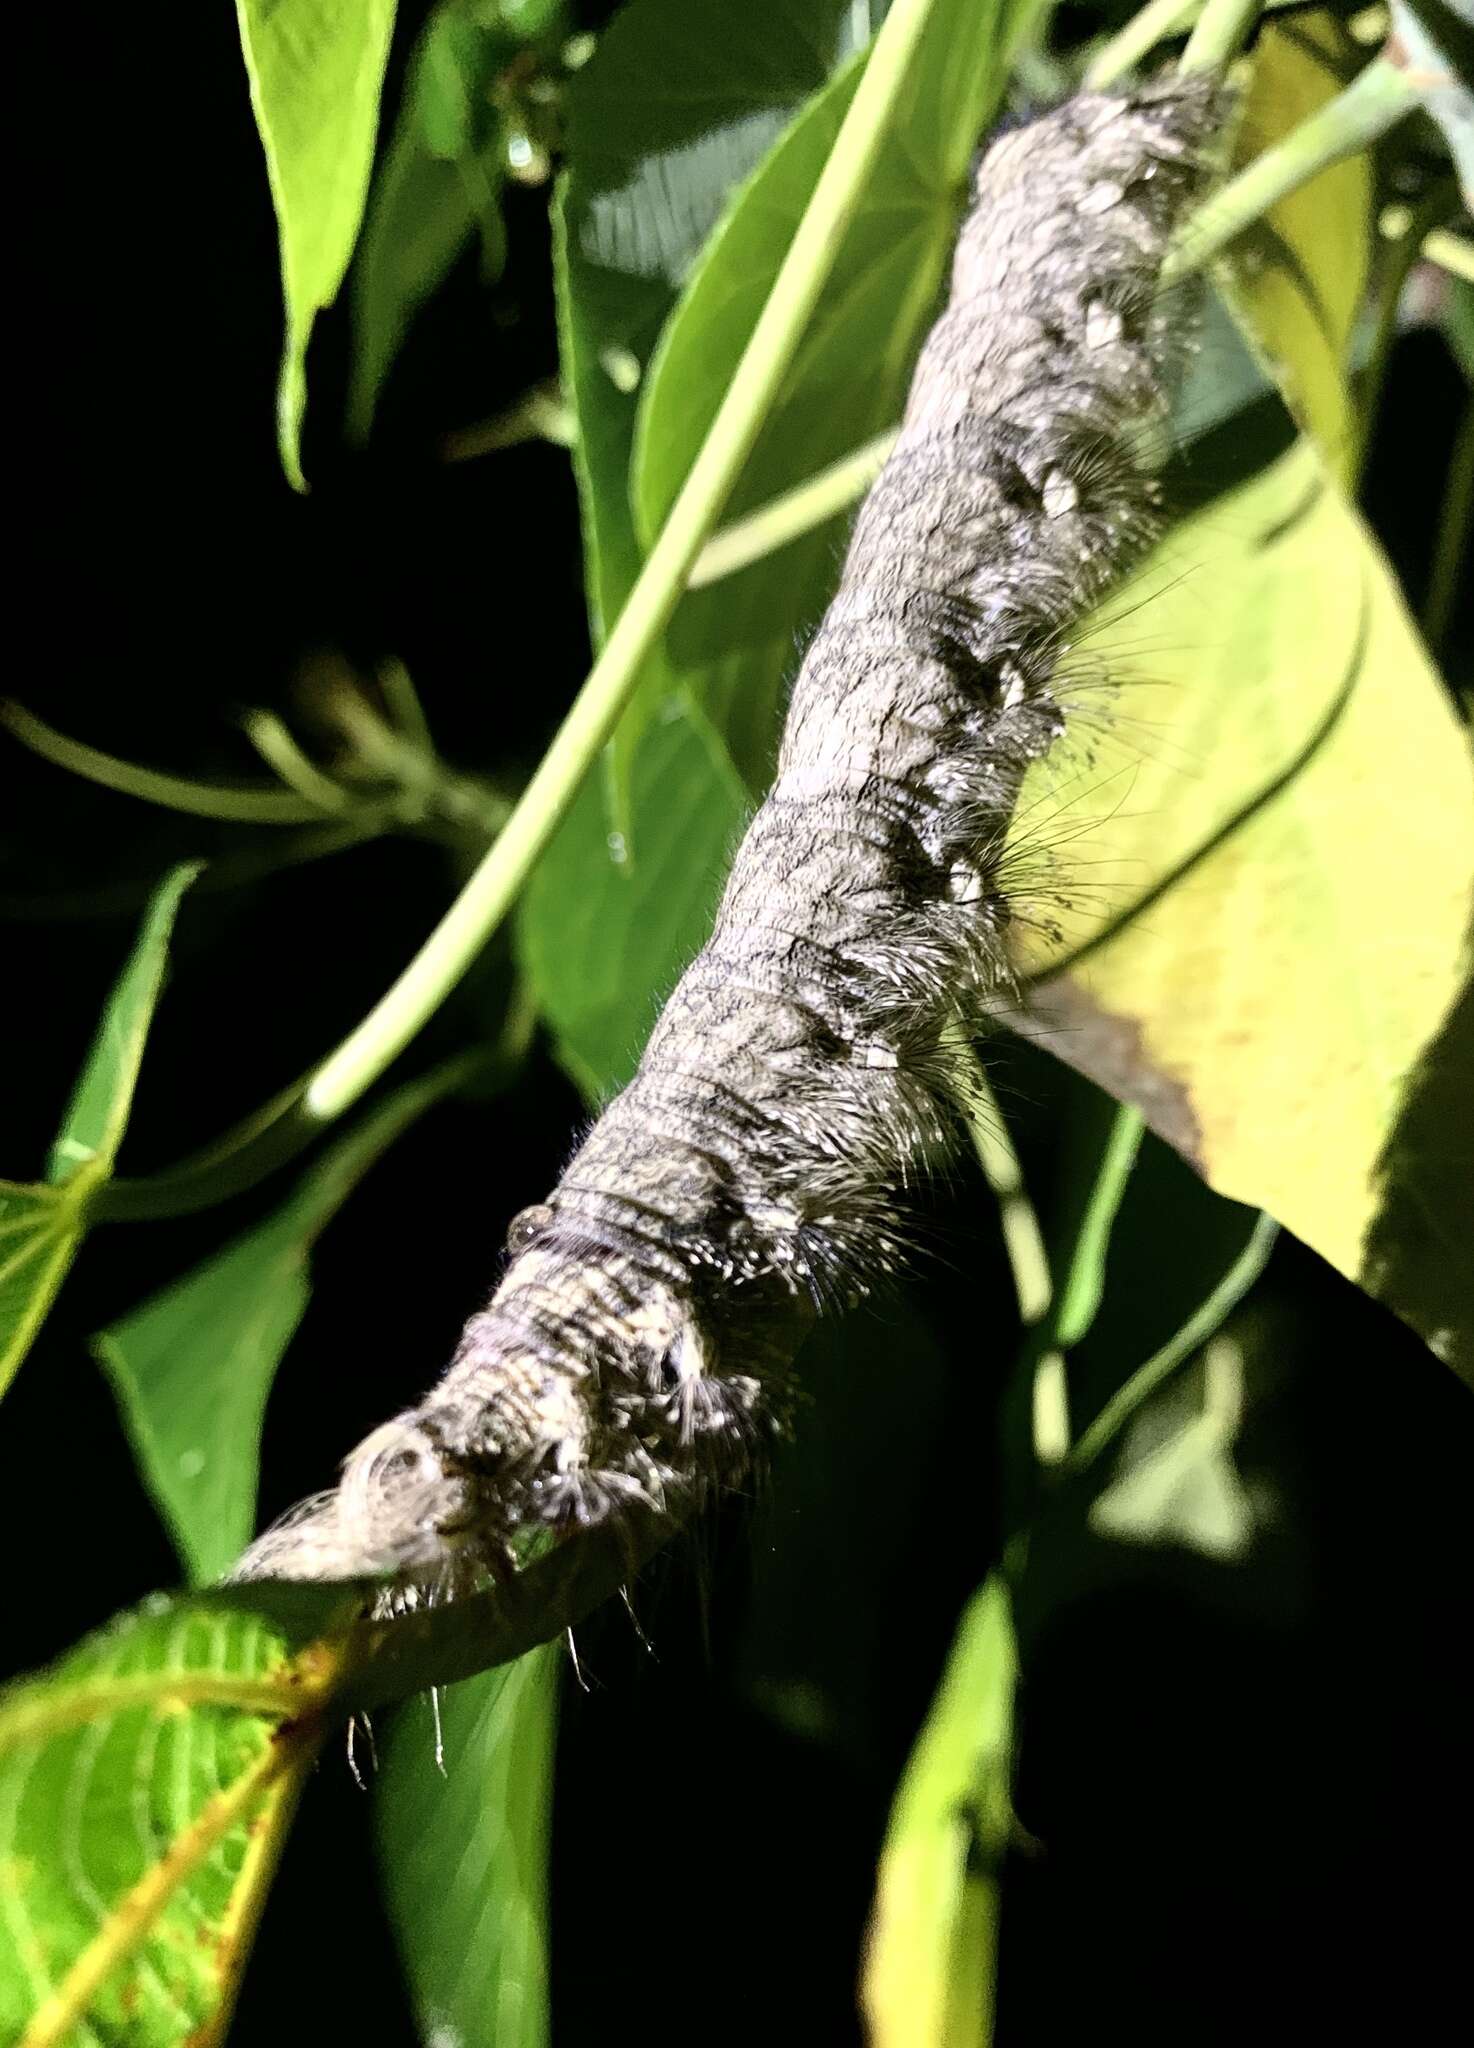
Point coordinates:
[[603, 939]]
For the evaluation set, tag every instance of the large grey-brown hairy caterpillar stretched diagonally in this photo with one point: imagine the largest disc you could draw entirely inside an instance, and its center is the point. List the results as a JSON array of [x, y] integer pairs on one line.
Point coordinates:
[[795, 1086]]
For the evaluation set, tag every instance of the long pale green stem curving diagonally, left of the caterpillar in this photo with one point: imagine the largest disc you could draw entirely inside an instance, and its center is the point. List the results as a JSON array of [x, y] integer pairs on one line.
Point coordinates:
[[501, 878]]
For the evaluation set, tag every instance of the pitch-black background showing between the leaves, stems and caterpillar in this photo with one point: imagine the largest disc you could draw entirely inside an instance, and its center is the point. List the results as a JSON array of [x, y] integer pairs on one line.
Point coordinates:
[[1248, 1789]]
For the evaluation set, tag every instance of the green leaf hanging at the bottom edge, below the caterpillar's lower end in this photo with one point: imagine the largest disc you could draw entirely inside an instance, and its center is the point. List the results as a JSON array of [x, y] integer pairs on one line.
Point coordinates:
[[464, 1814]]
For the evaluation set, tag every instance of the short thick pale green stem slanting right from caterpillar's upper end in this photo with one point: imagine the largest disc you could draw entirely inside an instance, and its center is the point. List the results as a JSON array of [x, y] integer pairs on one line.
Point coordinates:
[[1369, 108]]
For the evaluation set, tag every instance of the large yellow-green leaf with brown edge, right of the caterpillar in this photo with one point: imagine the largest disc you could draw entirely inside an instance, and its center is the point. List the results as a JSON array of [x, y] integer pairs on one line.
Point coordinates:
[[1270, 935]]
